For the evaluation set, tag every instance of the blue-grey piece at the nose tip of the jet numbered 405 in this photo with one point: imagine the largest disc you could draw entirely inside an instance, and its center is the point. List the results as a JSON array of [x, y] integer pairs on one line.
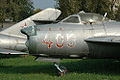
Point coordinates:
[[29, 31]]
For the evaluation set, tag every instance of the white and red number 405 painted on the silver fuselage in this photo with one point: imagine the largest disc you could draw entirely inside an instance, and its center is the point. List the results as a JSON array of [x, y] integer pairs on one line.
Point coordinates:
[[68, 40]]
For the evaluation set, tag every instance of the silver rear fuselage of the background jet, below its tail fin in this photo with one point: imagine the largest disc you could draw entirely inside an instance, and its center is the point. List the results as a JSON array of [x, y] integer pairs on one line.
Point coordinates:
[[14, 43]]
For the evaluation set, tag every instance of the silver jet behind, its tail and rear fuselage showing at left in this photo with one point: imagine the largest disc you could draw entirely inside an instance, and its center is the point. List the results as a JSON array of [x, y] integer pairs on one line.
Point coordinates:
[[12, 40]]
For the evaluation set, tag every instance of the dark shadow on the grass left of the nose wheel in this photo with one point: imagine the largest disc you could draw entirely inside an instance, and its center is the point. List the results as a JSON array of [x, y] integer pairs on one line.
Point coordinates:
[[32, 69]]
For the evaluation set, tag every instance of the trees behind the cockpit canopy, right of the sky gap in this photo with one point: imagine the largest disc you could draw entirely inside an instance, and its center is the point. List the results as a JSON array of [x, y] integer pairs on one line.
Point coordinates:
[[96, 6]]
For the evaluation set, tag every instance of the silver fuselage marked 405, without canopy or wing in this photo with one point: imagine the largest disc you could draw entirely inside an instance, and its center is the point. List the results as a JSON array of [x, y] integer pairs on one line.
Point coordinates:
[[67, 40]]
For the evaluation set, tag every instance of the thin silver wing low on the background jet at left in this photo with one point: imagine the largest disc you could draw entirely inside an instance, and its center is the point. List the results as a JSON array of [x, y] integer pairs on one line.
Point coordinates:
[[6, 51]]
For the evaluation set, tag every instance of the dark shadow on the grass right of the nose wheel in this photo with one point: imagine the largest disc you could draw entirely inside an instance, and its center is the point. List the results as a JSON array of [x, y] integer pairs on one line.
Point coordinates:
[[97, 66]]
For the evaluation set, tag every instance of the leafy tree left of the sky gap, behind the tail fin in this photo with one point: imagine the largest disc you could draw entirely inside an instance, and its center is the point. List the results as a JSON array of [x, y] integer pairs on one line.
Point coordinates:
[[15, 9]]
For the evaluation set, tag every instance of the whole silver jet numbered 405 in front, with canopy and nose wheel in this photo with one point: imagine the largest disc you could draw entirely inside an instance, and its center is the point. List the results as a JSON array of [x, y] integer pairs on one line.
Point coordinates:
[[83, 35]]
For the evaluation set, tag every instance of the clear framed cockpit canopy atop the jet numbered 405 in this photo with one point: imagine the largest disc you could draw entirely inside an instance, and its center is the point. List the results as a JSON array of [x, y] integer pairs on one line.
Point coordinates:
[[83, 18]]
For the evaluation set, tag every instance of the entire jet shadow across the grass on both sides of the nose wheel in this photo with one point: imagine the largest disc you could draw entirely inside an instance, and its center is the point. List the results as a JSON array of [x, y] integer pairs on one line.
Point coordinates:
[[96, 66]]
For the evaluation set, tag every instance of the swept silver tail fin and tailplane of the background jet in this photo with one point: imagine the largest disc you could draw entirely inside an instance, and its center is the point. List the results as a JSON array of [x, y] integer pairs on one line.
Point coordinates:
[[30, 21]]
